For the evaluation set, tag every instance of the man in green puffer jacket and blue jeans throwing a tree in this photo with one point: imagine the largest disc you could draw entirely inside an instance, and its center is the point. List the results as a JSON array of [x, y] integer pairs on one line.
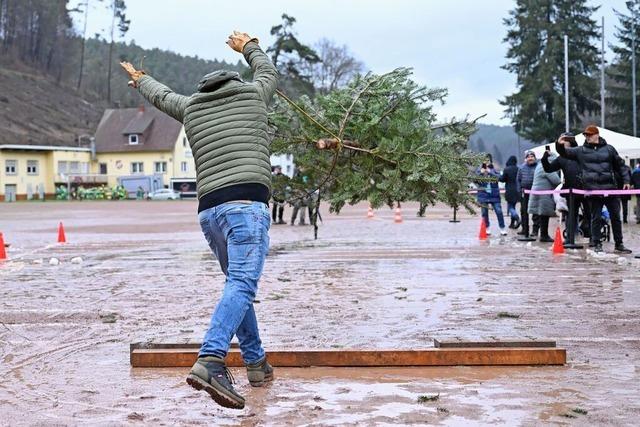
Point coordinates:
[[226, 124]]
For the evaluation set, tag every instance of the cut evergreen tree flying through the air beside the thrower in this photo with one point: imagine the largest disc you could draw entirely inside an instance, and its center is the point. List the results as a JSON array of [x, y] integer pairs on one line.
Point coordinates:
[[377, 140]]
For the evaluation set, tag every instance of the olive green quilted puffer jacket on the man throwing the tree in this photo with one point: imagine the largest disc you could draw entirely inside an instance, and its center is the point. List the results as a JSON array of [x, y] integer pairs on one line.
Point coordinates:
[[225, 122]]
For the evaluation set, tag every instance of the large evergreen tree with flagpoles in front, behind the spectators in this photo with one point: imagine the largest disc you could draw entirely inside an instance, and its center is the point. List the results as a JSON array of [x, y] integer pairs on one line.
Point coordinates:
[[536, 30]]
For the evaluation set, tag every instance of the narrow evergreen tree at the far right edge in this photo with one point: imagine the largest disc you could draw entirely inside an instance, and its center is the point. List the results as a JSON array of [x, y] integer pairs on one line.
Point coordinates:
[[619, 99]]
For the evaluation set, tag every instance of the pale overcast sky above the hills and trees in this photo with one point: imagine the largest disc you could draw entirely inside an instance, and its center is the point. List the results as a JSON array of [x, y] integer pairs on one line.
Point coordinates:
[[455, 44]]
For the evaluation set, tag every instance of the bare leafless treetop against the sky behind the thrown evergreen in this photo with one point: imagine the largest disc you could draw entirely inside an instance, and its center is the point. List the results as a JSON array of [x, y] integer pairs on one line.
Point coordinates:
[[336, 67]]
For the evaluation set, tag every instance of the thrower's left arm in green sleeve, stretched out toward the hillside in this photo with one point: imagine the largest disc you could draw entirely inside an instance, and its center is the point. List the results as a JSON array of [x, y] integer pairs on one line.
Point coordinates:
[[161, 96]]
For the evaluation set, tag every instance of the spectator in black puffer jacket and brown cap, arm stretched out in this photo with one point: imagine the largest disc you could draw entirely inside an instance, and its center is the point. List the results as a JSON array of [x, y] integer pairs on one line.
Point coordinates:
[[599, 162]]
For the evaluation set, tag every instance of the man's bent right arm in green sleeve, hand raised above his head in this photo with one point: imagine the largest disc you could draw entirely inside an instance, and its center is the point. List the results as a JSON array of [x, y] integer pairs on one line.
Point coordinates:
[[265, 74]]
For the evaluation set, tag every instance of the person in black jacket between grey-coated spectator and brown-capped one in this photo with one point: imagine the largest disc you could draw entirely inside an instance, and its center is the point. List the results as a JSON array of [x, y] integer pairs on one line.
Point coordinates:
[[572, 178]]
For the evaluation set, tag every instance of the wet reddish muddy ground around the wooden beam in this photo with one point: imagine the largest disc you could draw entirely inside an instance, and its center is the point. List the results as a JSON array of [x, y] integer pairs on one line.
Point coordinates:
[[147, 274]]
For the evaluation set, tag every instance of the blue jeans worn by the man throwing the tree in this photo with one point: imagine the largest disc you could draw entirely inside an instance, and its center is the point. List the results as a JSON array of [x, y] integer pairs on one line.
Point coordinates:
[[238, 235]]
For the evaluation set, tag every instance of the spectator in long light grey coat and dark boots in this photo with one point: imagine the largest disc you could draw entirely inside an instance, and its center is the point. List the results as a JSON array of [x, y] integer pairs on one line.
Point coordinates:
[[543, 205]]
